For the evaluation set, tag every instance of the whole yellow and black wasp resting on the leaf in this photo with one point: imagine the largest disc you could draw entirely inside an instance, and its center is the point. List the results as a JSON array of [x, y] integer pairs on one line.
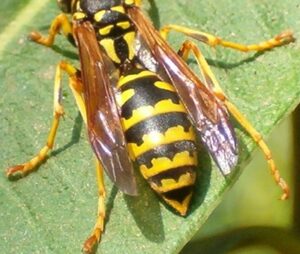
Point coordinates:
[[142, 103]]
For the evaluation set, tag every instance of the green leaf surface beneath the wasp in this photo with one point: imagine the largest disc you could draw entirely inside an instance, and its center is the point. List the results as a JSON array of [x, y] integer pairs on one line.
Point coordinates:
[[53, 210]]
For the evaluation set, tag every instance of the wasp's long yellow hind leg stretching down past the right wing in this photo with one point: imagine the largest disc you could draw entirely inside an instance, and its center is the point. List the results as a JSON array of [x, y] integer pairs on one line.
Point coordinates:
[[212, 83]]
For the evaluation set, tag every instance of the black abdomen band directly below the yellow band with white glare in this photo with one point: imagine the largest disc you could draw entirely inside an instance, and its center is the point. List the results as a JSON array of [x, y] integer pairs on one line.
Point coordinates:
[[167, 150]]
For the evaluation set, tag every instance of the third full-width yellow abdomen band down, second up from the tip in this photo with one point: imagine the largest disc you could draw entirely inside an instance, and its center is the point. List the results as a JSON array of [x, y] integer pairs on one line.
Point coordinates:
[[163, 164]]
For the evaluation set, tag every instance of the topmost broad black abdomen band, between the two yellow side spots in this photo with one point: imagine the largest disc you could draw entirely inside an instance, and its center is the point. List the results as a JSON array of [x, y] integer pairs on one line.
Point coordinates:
[[145, 94]]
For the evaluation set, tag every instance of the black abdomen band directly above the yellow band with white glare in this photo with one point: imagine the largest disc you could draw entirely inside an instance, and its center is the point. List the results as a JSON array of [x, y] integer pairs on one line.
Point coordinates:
[[158, 123]]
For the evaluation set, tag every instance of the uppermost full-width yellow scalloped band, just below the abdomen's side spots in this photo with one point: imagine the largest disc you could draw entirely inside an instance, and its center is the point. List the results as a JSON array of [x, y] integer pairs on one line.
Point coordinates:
[[140, 114]]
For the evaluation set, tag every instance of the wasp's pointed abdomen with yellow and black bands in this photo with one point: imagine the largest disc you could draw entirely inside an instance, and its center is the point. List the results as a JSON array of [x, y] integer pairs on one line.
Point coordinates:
[[160, 137]]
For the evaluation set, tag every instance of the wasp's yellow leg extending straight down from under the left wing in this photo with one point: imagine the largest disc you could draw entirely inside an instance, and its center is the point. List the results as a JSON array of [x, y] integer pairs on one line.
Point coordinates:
[[91, 243]]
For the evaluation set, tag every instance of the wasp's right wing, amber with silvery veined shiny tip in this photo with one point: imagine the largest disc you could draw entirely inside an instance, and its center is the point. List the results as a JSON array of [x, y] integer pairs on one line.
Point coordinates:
[[205, 110]]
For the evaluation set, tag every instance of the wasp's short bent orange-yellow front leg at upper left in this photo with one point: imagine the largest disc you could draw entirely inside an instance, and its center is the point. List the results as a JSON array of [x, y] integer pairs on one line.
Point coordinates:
[[60, 23]]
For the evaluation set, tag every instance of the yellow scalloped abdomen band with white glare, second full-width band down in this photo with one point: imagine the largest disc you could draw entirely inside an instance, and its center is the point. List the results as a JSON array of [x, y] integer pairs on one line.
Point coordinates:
[[154, 139]]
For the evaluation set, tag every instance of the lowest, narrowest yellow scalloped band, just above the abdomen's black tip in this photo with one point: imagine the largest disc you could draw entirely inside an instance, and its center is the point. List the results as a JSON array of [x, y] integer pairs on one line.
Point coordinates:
[[184, 180]]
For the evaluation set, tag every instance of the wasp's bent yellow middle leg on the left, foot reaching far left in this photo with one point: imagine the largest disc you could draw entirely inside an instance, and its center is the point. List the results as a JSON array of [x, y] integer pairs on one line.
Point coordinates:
[[18, 171]]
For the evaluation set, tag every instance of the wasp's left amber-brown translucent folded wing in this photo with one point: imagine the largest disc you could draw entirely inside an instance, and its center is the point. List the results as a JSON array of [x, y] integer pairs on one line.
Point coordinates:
[[104, 128]]
